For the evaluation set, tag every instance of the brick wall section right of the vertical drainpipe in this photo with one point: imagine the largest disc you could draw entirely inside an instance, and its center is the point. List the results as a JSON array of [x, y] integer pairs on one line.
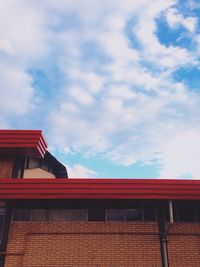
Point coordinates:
[[184, 245]]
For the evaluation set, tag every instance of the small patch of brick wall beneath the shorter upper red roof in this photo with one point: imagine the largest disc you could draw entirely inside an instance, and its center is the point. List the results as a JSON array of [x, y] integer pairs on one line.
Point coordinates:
[[6, 167]]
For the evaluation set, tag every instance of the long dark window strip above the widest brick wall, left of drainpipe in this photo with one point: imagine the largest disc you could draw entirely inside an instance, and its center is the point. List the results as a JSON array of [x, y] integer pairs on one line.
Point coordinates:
[[95, 210]]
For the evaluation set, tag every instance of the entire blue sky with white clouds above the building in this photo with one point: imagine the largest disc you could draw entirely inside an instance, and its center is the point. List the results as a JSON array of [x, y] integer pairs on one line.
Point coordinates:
[[113, 84]]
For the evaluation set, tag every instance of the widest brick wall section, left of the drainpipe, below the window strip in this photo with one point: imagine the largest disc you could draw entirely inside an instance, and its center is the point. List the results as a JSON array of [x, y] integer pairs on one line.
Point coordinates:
[[83, 244]]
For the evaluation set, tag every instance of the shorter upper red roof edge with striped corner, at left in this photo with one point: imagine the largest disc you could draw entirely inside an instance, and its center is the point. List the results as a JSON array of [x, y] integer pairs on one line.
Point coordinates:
[[22, 142]]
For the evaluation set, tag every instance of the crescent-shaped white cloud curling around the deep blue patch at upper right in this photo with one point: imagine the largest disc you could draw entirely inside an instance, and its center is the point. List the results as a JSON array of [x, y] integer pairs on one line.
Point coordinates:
[[159, 55]]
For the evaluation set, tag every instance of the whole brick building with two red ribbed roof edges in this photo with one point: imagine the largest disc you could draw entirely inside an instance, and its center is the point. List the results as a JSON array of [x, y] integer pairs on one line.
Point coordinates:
[[47, 221]]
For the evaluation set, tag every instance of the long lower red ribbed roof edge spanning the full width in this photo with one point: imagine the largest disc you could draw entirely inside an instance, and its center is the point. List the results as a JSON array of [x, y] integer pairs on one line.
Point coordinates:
[[99, 188]]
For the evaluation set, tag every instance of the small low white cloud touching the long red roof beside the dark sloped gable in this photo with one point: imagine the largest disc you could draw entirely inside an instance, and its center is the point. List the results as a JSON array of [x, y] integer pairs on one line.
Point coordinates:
[[79, 171]]
